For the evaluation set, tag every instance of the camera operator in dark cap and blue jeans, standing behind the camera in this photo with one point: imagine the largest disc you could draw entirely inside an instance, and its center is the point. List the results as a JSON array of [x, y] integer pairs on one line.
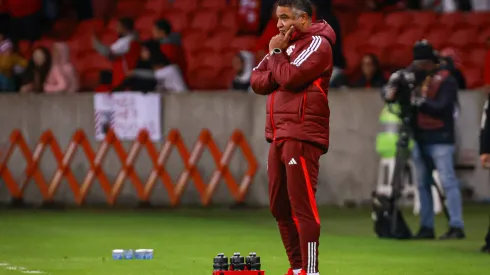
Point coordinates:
[[433, 99]]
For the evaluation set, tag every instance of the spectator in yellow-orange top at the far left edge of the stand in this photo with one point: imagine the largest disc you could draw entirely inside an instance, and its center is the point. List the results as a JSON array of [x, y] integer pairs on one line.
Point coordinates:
[[11, 65]]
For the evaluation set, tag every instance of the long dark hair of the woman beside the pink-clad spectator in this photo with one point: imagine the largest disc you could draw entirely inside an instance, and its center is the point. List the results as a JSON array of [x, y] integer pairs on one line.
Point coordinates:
[[42, 71]]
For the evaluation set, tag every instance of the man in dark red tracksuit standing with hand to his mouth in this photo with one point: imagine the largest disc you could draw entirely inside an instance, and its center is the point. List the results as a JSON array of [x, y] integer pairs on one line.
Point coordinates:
[[295, 75]]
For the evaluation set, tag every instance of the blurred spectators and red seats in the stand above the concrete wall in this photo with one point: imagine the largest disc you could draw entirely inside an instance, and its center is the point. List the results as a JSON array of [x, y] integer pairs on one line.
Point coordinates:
[[157, 57]]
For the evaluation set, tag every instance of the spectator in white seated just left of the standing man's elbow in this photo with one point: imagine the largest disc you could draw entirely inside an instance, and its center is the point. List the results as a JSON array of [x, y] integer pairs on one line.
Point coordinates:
[[243, 64]]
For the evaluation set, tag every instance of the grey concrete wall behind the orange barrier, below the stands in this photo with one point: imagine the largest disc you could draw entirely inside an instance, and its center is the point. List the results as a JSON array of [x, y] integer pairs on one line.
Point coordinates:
[[348, 171]]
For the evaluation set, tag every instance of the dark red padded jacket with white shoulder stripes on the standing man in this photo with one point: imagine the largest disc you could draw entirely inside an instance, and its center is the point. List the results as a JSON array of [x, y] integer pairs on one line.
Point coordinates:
[[296, 82]]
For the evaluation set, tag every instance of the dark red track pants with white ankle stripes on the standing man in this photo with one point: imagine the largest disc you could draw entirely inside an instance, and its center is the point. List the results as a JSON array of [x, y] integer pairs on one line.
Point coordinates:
[[293, 172]]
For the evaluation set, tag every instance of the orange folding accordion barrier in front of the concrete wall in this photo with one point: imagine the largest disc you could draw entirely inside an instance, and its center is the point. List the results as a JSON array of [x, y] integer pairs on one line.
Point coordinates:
[[143, 187]]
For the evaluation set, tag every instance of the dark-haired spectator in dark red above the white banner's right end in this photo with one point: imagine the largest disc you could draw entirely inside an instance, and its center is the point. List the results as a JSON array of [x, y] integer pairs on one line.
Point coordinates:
[[170, 43]]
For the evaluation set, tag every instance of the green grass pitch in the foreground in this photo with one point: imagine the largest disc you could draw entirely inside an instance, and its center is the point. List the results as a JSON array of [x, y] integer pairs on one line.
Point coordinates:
[[77, 242]]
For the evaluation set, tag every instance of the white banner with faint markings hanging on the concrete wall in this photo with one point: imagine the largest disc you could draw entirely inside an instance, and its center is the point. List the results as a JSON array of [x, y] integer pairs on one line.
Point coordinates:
[[127, 113]]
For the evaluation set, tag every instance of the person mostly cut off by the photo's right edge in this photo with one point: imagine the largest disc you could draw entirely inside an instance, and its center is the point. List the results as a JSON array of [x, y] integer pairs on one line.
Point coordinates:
[[485, 154]]
